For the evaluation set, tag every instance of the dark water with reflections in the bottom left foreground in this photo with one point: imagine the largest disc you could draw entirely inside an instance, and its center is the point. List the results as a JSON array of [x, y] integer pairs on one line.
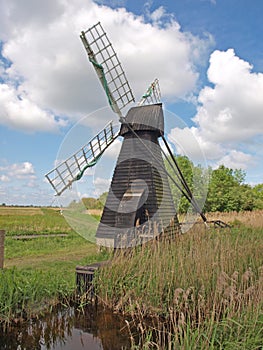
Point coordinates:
[[92, 328]]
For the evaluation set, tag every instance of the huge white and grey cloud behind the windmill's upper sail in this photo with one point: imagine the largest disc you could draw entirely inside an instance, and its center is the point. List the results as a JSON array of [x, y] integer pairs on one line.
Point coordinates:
[[48, 72]]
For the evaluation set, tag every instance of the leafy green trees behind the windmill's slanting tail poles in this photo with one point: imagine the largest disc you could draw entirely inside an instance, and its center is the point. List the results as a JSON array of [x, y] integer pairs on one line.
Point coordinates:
[[226, 190]]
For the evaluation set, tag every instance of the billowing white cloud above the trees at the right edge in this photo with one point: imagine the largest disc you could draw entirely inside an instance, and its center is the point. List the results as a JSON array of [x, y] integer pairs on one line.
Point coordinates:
[[229, 113]]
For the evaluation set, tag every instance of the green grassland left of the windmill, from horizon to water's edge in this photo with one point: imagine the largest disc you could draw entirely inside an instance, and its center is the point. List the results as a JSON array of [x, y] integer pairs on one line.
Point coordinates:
[[39, 272]]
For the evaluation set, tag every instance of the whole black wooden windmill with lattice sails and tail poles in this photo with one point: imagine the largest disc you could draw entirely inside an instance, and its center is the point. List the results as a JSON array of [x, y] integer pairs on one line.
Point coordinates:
[[139, 204]]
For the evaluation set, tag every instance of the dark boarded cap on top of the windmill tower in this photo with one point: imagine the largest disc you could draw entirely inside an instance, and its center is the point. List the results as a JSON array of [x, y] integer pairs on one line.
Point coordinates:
[[144, 118]]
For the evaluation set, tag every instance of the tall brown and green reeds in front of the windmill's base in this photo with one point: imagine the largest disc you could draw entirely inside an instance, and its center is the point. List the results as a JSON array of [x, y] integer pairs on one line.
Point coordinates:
[[202, 290]]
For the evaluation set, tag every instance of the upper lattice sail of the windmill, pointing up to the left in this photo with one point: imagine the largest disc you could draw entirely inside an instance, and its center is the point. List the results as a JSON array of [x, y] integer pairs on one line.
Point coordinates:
[[108, 67]]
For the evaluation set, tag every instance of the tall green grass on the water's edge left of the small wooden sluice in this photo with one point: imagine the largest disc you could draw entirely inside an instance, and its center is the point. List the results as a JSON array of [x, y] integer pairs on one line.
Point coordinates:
[[24, 292]]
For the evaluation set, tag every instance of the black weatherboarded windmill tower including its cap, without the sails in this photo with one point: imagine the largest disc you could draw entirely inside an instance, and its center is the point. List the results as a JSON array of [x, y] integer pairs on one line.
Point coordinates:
[[139, 205]]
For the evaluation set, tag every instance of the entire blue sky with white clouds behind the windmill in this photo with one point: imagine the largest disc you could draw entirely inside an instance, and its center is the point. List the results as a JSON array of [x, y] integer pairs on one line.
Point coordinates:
[[207, 55]]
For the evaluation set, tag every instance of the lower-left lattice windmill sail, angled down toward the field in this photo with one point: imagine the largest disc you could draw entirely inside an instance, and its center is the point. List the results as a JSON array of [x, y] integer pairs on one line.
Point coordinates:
[[73, 168]]
